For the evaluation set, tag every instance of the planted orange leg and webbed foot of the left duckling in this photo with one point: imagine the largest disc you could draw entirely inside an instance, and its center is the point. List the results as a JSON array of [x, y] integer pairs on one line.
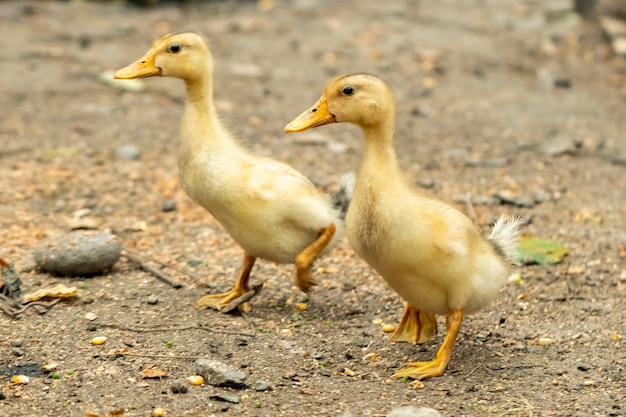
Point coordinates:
[[236, 297]]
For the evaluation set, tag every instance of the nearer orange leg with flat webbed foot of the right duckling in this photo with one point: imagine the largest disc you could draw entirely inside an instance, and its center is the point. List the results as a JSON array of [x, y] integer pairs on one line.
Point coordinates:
[[423, 370]]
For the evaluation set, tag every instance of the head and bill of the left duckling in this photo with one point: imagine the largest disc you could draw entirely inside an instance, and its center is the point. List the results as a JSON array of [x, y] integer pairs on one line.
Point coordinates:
[[184, 55]]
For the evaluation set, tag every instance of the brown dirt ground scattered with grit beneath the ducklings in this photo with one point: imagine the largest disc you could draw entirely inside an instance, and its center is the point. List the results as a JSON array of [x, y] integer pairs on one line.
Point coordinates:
[[487, 93]]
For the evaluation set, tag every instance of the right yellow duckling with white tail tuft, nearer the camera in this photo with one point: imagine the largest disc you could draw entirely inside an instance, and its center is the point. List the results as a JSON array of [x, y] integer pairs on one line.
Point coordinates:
[[428, 252]]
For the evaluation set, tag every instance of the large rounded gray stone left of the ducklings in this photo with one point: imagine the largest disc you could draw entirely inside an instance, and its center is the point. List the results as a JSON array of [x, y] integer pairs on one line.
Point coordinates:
[[81, 253]]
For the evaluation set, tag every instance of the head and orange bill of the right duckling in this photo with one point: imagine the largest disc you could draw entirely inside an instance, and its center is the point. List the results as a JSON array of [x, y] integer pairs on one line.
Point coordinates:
[[358, 98]]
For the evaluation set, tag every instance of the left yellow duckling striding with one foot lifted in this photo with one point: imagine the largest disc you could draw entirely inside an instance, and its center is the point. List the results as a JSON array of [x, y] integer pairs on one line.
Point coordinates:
[[271, 210]]
